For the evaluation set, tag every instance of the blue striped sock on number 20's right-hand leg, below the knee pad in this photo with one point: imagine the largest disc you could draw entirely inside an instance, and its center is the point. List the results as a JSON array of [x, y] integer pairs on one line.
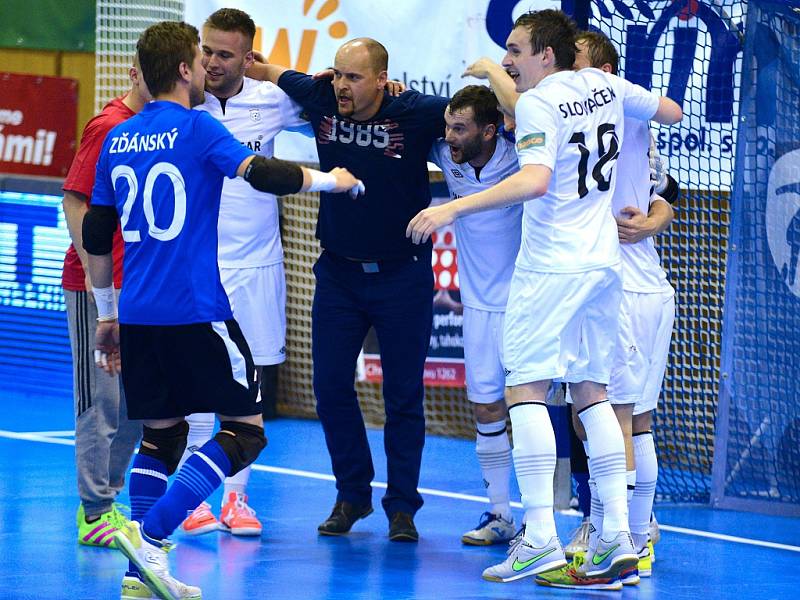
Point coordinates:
[[200, 475]]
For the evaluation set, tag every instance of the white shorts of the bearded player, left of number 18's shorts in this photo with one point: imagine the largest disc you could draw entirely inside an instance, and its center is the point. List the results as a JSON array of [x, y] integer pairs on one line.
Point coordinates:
[[483, 355]]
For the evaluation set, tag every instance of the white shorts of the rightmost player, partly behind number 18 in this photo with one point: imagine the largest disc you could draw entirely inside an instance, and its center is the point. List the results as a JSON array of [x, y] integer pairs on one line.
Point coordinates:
[[640, 358]]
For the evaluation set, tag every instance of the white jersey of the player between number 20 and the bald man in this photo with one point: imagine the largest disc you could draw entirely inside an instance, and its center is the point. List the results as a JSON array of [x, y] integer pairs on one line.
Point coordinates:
[[249, 234]]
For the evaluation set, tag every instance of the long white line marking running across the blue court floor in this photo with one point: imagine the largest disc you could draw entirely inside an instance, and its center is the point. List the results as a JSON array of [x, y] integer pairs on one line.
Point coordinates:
[[38, 437]]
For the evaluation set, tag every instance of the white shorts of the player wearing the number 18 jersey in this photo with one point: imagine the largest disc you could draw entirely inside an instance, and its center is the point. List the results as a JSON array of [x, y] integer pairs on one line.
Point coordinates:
[[561, 326]]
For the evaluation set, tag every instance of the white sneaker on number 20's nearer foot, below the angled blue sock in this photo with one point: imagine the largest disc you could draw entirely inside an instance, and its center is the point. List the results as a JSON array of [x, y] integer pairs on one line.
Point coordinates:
[[150, 557]]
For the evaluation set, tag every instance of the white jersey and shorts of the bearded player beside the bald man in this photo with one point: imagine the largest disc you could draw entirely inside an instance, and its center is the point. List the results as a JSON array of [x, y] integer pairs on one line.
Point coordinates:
[[487, 244]]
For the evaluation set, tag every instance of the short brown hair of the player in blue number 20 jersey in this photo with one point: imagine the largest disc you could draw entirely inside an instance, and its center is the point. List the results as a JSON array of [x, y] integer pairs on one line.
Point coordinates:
[[161, 50]]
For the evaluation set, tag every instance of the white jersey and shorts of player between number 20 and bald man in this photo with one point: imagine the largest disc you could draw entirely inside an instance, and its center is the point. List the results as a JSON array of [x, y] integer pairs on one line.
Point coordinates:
[[250, 254]]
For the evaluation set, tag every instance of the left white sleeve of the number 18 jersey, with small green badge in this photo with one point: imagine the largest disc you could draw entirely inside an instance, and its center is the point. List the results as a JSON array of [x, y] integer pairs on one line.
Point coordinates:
[[536, 132]]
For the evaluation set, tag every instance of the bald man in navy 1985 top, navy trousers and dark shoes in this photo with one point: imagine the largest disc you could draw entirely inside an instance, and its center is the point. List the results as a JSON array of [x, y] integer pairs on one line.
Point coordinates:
[[369, 274]]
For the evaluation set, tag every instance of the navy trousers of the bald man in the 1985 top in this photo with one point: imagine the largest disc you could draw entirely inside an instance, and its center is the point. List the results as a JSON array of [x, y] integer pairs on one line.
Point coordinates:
[[398, 302]]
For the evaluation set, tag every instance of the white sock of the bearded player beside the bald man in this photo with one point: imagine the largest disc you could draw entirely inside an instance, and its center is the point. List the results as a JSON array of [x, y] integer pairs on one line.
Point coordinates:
[[494, 457]]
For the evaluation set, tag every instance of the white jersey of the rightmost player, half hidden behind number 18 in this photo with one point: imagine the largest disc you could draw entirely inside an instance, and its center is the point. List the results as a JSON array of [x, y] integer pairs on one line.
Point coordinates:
[[641, 265]]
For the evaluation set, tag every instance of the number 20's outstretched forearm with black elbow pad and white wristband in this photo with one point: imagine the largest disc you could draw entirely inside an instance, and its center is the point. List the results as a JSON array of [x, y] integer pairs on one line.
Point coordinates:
[[282, 177]]
